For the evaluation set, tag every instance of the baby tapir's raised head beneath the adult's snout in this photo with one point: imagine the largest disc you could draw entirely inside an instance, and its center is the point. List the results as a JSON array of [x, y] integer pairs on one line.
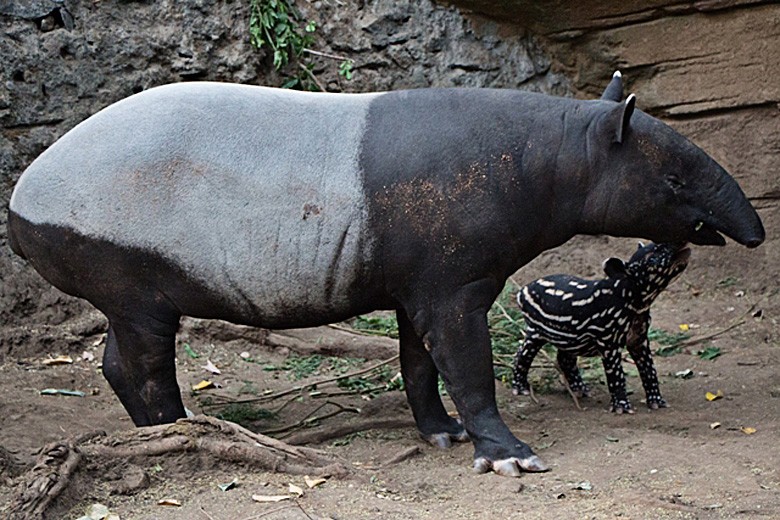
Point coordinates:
[[650, 270]]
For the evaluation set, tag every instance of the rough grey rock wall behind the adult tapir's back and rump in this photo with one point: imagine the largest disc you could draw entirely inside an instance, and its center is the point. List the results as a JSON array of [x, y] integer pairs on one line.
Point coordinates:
[[63, 60]]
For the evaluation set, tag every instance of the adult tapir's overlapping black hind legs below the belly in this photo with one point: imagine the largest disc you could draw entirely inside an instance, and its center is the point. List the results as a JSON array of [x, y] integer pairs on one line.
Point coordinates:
[[139, 363]]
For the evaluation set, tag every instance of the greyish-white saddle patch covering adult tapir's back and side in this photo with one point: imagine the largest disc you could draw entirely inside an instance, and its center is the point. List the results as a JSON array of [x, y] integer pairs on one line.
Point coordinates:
[[254, 193]]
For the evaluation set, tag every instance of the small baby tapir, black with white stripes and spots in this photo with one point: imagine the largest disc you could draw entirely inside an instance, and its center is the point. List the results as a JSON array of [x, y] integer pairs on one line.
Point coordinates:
[[597, 317]]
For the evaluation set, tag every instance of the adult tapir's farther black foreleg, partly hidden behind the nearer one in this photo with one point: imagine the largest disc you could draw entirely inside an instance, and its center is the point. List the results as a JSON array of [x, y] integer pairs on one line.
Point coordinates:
[[421, 380]]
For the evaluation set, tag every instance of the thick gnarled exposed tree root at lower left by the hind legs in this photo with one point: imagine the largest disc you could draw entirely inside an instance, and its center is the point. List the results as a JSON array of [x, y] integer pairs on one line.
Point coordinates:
[[58, 462]]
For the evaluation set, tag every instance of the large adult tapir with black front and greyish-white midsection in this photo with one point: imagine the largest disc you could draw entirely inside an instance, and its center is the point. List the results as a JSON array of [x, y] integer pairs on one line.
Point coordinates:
[[284, 209]]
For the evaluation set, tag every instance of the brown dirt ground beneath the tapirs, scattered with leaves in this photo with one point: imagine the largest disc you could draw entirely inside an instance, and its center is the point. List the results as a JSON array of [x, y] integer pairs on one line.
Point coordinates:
[[670, 463]]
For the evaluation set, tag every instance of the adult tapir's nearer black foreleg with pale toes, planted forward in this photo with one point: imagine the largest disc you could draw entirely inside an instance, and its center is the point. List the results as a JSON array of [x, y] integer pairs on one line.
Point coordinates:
[[459, 343]]
